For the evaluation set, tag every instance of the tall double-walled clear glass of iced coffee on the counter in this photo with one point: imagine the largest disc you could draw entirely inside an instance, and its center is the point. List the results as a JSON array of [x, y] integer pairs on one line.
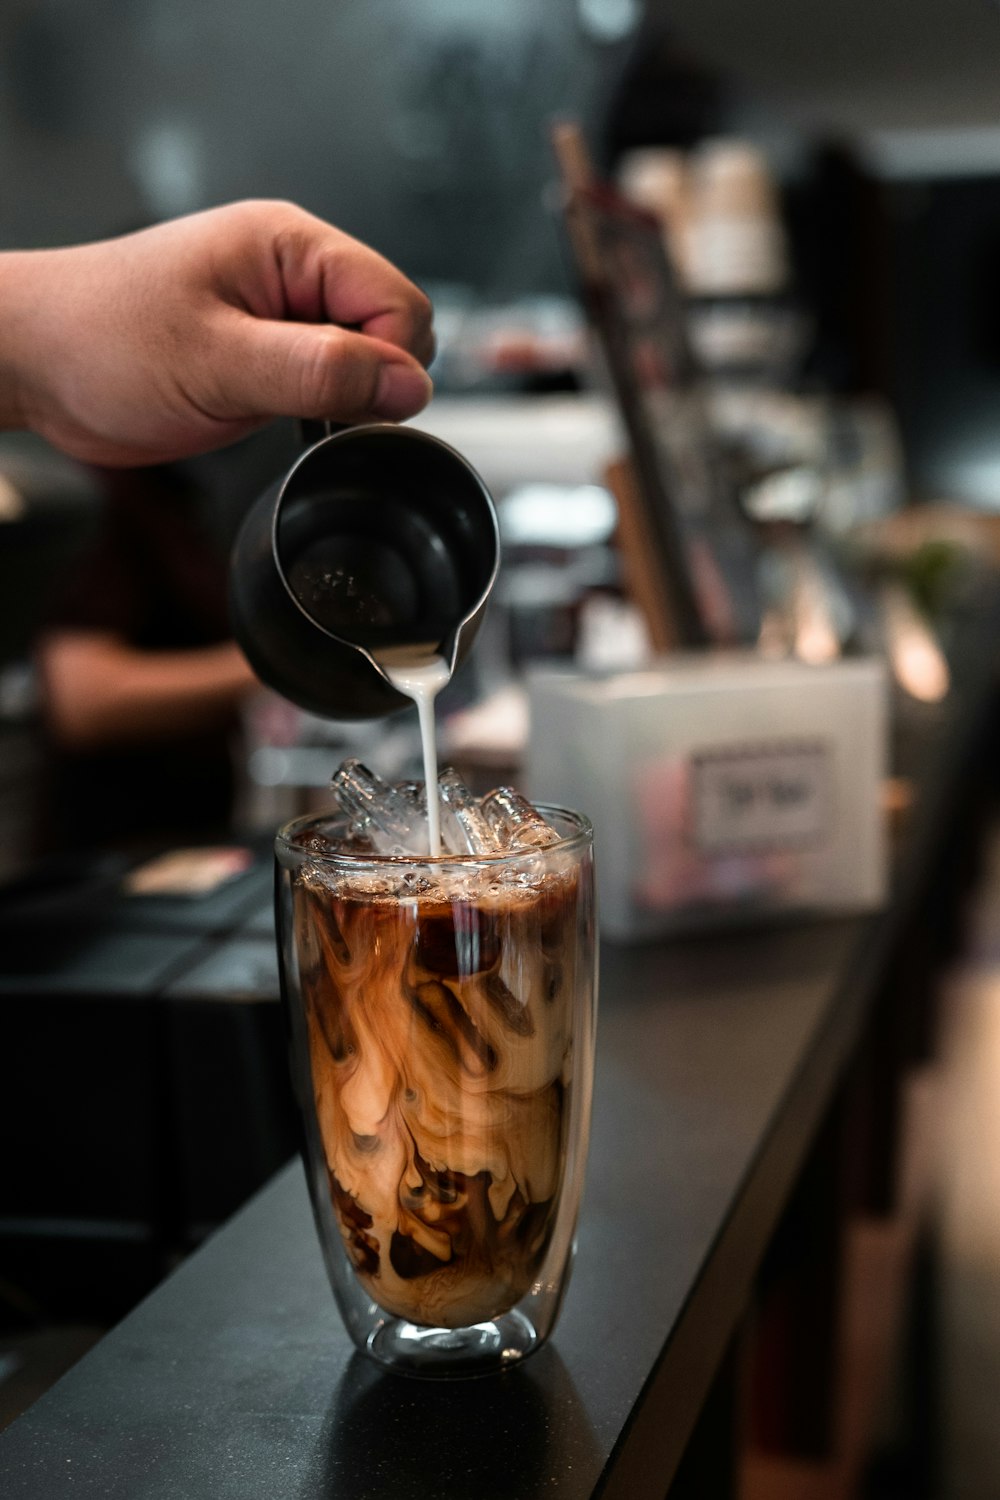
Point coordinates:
[[442, 1016]]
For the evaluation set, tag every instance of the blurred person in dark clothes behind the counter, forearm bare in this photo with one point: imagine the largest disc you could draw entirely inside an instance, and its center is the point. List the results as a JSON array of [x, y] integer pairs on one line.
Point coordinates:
[[140, 680]]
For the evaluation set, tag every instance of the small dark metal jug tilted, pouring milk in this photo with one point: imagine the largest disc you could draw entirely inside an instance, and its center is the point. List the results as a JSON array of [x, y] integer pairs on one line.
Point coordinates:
[[379, 536]]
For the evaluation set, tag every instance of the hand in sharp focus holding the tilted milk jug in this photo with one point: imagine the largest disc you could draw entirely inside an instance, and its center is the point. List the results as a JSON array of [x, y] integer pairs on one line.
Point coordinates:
[[187, 337]]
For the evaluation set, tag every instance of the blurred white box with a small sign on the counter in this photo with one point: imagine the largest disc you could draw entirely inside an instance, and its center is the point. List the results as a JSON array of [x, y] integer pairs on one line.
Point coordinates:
[[722, 787]]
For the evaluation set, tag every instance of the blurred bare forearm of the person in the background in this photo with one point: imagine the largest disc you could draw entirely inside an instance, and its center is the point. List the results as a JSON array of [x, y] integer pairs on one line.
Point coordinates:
[[101, 692]]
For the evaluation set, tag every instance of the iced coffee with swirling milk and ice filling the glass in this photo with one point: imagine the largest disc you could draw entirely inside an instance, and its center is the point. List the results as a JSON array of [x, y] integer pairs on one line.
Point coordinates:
[[440, 1021]]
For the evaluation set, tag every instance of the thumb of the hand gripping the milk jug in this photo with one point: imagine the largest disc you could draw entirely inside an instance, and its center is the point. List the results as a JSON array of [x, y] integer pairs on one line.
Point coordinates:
[[305, 370]]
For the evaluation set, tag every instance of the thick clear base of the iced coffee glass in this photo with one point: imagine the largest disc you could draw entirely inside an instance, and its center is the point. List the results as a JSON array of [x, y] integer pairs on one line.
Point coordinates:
[[443, 1354]]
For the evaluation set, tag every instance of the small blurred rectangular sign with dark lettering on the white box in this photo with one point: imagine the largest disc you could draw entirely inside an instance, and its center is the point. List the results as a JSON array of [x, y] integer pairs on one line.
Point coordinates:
[[762, 797]]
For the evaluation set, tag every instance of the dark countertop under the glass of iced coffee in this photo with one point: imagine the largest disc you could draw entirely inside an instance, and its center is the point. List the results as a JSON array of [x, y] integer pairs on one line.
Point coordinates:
[[238, 1381]]
